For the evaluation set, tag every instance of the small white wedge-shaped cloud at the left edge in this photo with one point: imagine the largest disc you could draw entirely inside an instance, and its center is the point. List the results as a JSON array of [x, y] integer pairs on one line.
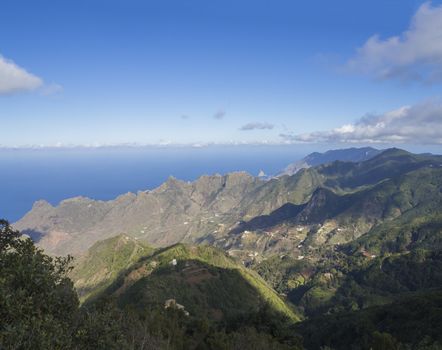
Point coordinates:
[[15, 79]]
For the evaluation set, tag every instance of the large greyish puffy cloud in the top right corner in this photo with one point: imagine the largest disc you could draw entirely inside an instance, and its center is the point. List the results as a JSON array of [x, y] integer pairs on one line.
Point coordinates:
[[416, 54]]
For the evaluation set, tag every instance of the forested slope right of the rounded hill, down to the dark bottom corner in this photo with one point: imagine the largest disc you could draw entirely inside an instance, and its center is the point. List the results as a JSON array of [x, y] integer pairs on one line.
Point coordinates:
[[358, 302]]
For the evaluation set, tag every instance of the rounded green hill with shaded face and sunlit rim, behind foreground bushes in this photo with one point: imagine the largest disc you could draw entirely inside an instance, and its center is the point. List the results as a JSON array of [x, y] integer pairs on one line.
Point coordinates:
[[203, 279]]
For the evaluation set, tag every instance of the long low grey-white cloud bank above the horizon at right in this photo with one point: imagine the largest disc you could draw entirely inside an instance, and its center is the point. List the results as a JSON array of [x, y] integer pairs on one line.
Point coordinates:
[[420, 124]]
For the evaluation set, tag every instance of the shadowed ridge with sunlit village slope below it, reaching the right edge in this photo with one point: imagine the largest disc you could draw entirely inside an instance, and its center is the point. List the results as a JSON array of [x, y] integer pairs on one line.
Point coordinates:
[[396, 212]]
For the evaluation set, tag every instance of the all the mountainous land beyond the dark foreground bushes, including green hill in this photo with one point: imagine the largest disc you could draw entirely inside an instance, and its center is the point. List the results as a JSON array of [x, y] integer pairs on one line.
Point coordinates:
[[342, 250]]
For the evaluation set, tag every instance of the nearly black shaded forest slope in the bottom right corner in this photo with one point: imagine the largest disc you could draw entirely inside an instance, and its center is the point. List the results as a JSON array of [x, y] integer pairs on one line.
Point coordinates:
[[410, 321]]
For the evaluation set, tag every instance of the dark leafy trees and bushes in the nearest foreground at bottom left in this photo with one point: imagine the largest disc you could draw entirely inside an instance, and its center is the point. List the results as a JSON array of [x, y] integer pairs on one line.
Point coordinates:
[[39, 309]]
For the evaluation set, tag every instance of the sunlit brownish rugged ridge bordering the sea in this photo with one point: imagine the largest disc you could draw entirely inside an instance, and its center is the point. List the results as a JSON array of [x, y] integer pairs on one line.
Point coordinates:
[[175, 212]]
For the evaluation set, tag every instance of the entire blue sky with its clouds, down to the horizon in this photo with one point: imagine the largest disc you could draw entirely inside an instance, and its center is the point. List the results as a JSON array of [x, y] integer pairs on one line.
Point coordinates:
[[195, 72]]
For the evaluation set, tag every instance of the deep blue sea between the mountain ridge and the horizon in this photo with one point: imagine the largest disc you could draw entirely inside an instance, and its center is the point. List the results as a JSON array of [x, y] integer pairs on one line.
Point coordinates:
[[57, 174]]
